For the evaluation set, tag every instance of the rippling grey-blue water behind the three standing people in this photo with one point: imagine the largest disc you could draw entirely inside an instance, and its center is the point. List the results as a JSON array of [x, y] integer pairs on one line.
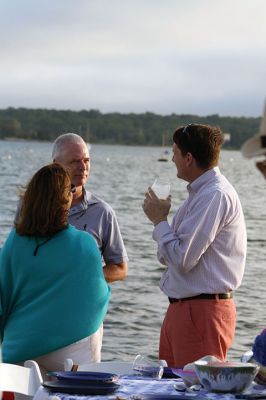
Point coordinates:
[[120, 175]]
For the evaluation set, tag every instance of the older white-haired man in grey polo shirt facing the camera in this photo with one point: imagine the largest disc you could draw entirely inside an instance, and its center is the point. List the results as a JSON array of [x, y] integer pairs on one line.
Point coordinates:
[[88, 212]]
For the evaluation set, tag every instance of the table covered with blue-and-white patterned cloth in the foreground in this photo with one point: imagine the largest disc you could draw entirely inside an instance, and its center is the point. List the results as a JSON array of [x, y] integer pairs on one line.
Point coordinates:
[[141, 386]]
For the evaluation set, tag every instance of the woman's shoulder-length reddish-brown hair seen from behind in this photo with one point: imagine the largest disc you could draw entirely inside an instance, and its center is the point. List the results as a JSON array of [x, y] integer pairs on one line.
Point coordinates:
[[44, 208]]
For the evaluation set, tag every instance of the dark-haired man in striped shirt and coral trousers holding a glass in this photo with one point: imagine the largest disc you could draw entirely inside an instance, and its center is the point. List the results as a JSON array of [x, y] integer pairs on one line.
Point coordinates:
[[204, 251]]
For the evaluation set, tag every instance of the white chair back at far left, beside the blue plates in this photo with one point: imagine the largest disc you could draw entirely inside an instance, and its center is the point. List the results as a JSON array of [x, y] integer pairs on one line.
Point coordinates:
[[24, 380]]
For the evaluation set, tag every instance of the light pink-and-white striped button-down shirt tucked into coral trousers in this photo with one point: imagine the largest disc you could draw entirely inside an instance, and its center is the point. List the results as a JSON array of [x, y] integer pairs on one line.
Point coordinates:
[[204, 249]]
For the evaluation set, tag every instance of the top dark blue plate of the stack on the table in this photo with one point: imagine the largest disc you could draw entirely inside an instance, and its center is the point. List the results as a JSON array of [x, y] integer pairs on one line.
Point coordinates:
[[83, 377]]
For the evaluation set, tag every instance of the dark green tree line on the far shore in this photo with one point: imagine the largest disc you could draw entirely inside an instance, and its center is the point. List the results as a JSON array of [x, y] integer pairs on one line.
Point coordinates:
[[115, 128]]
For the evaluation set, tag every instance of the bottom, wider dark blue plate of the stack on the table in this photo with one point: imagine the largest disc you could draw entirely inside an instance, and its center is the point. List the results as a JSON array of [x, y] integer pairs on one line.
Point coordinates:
[[61, 386]]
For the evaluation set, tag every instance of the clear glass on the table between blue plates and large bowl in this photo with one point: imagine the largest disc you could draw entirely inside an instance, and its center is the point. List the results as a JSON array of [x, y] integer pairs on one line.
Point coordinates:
[[146, 367]]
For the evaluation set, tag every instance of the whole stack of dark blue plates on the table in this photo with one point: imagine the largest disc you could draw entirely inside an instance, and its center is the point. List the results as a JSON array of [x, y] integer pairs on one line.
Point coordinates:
[[82, 382]]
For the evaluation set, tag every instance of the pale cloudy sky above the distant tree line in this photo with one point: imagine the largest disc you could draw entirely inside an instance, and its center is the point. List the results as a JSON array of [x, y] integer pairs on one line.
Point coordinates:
[[199, 57]]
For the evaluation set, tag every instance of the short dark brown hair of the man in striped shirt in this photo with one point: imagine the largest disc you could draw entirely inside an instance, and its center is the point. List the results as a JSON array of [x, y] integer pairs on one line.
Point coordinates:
[[202, 141]]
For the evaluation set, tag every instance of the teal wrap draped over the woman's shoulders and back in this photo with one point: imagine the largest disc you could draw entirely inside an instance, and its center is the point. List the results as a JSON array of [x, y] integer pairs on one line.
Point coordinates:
[[53, 299]]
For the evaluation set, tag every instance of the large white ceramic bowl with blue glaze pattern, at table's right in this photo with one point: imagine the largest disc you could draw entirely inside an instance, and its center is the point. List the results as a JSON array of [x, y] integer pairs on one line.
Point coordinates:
[[225, 377]]
